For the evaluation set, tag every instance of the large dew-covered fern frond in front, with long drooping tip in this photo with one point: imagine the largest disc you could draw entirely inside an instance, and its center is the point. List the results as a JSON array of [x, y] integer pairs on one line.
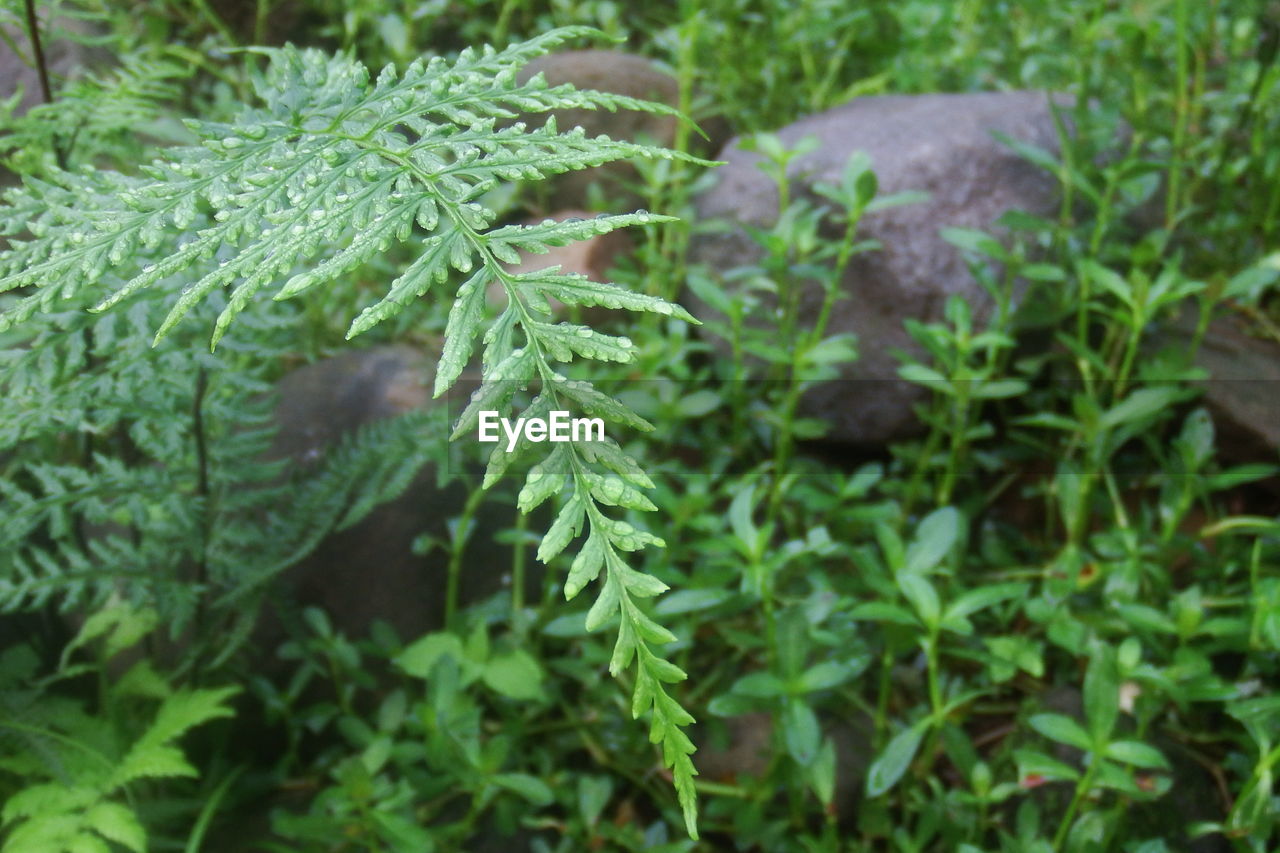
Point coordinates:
[[336, 167]]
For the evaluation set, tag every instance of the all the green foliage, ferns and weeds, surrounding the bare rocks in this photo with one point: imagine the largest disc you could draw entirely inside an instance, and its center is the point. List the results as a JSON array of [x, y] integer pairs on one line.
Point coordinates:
[[1050, 623]]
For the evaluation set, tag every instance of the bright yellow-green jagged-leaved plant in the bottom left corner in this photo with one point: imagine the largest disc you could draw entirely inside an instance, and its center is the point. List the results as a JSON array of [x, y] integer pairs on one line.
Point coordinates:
[[83, 776]]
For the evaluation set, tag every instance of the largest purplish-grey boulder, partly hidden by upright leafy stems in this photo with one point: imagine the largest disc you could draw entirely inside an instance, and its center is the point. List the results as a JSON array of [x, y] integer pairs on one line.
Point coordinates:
[[939, 144]]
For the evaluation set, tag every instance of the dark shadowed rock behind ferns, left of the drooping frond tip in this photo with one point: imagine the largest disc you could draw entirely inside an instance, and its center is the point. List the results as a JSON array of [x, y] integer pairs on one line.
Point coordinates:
[[369, 571]]
